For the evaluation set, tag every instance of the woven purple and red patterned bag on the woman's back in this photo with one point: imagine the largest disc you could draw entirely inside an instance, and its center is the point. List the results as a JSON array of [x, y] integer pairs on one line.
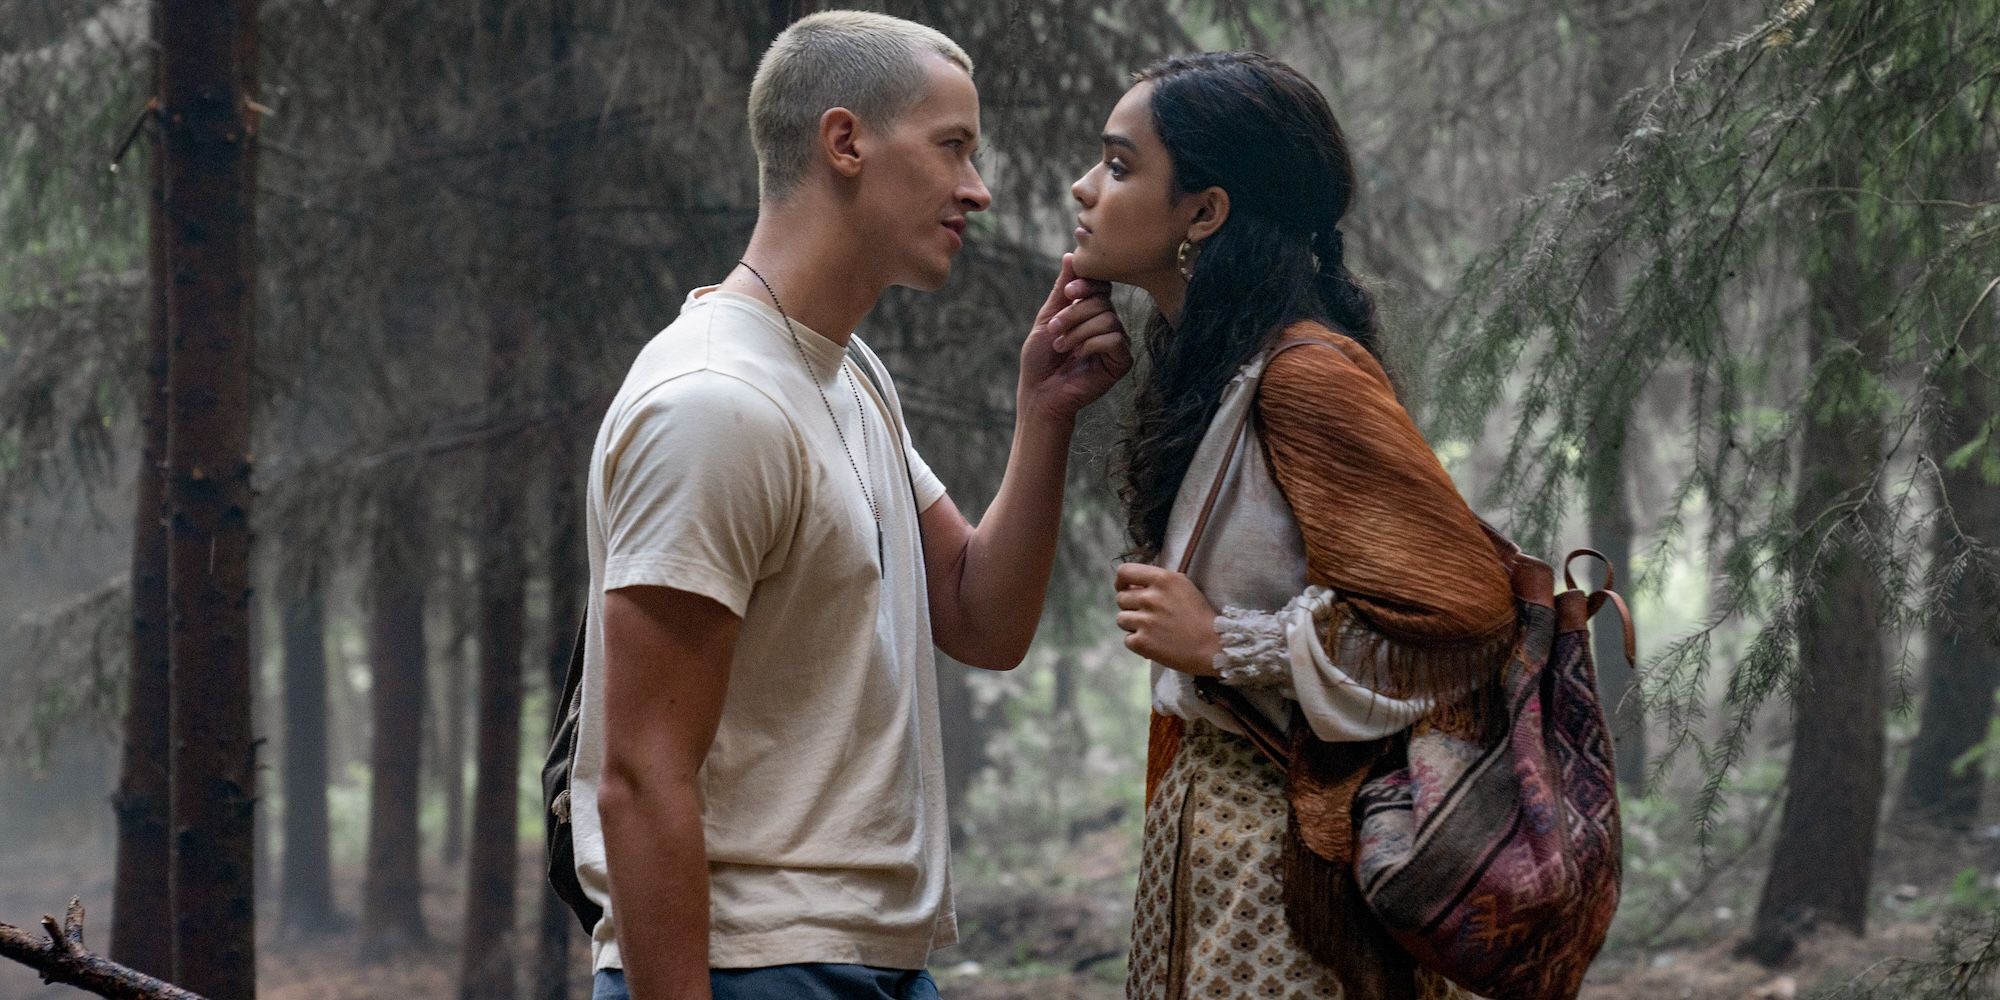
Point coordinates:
[[1497, 861]]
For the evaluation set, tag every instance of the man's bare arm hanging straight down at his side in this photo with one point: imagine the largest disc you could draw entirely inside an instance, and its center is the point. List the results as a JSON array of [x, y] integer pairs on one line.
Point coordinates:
[[667, 667]]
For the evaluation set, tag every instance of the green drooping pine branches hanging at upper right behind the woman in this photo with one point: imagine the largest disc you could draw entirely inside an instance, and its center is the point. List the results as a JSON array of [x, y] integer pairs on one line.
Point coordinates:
[[1721, 179]]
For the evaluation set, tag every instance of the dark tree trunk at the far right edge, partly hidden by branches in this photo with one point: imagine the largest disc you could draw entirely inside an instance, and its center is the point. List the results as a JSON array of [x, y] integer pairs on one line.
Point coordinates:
[[1965, 649]]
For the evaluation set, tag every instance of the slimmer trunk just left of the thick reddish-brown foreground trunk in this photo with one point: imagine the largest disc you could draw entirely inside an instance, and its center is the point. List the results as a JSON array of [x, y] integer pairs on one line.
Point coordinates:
[[143, 937]]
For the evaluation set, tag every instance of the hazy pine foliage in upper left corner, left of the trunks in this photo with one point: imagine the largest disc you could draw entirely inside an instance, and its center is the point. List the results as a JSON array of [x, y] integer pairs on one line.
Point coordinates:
[[71, 299]]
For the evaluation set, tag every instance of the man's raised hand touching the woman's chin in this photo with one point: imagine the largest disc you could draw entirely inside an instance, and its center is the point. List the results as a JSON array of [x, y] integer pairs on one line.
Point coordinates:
[[1075, 351]]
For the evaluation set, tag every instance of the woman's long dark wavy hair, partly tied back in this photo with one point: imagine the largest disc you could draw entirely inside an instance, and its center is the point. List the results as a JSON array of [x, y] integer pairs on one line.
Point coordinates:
[[1263, 133]]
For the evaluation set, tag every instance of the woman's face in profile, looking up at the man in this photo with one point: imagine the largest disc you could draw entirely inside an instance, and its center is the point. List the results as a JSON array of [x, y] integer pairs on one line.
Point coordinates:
[[1131, 227]]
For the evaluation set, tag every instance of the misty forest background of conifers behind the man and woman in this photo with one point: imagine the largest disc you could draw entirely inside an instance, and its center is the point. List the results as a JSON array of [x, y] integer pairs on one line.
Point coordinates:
[[1707, 287]]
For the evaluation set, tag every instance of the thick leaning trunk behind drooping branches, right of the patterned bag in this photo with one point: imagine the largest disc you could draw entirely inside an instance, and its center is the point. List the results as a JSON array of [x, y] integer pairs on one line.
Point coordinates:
[[1825, 851]]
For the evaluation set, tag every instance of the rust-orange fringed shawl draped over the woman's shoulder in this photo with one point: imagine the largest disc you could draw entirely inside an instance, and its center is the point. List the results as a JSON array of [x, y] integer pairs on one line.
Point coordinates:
[[1425, 609]]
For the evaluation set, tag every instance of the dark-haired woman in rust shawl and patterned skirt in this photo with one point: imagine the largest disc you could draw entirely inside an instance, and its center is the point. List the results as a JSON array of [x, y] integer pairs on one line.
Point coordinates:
[[1339, 577]]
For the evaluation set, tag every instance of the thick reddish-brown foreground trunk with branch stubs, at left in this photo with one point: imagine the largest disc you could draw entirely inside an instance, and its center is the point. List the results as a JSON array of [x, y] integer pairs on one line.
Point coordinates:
[[213, 759]]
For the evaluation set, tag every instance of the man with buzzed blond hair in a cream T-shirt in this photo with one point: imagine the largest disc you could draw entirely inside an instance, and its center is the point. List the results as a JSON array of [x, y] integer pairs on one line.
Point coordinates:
[[759, 777]]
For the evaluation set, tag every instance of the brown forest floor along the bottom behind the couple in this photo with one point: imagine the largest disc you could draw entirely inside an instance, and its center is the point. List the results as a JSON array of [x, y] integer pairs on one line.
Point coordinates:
[[1029, 941]]
